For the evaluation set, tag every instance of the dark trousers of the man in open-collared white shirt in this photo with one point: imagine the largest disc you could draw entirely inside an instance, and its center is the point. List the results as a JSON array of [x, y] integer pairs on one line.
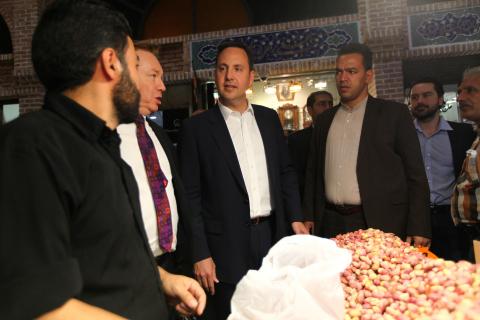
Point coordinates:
[[218, 305]]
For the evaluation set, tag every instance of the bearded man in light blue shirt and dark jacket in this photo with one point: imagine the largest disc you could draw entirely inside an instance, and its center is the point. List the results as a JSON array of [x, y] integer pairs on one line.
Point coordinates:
[[443, 144]]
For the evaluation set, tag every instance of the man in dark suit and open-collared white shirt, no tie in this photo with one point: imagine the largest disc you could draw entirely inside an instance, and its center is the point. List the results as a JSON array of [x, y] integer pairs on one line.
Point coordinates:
[[242, 188]]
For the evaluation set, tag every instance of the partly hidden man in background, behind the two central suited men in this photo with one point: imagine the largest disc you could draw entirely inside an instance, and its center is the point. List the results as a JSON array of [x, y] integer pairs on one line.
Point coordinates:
[[299, 142]]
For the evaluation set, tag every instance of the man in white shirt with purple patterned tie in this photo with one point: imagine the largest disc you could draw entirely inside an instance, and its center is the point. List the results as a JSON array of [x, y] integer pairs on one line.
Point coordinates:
[[152, 88]]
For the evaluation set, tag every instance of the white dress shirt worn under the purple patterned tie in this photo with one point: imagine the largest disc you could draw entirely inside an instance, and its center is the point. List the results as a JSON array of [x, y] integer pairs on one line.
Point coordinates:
[[130, 152]]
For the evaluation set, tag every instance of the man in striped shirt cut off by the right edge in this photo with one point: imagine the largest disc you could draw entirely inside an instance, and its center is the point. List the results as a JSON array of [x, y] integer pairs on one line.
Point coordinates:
[[466, 194]]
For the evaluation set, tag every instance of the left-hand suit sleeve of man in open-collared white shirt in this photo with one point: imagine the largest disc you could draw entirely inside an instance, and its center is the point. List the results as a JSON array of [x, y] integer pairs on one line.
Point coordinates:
[[191, 176]]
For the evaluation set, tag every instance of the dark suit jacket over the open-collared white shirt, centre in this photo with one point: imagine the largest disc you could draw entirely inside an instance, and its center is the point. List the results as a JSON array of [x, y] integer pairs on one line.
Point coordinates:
[[220, 216]]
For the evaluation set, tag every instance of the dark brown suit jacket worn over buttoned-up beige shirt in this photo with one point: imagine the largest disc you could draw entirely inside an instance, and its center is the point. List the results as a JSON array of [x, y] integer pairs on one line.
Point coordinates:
[[390, 171]]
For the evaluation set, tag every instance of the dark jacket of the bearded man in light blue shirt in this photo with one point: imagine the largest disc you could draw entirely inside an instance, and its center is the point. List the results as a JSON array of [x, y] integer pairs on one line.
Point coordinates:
[[461, 139]]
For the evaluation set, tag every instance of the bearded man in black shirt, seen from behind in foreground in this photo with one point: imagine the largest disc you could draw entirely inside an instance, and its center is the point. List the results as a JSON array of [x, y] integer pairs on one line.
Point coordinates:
[[72, 243]]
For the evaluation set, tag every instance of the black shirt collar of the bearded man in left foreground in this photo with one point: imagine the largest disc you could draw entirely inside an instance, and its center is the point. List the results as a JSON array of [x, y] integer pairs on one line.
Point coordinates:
[[86, 123]]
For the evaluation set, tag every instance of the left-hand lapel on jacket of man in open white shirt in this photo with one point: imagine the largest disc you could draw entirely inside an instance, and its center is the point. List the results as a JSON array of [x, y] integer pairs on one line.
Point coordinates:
[[224, 142]]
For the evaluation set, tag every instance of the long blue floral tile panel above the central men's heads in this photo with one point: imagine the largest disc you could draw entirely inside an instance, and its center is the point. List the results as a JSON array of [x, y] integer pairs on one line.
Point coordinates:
[[297, 44]]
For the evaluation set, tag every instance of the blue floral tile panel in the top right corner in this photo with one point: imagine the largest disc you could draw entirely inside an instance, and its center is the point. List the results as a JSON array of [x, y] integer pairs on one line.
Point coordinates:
[[446, 27]]
